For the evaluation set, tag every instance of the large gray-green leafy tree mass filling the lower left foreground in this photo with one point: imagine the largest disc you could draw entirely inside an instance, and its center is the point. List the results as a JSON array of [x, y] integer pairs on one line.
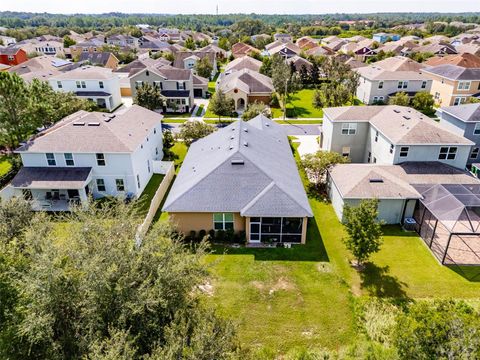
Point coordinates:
[[100, 294]]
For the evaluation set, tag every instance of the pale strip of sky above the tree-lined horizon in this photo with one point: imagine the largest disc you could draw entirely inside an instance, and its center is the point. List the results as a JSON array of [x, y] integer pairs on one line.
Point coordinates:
[[240, 6]]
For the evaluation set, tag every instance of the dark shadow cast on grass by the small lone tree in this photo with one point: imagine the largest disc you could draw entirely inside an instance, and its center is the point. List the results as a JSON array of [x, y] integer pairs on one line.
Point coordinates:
[[378, 282]]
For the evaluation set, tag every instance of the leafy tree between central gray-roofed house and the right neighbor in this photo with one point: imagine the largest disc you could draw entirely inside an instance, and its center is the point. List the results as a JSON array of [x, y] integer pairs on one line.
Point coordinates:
[[317, 165]]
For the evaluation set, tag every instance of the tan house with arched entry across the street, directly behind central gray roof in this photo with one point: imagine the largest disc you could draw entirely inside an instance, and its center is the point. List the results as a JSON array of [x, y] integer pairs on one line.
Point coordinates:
[[246, 86]]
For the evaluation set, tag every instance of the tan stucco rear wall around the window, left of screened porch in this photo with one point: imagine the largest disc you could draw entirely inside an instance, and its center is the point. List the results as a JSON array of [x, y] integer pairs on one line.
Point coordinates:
[[186, 222]]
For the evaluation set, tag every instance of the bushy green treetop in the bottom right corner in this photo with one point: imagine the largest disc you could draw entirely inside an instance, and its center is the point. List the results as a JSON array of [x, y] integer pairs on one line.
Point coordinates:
[[443, 329]]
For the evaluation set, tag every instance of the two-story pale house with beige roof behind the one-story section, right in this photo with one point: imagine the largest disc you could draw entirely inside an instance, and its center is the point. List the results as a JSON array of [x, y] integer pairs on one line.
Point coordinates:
[[390, 135]]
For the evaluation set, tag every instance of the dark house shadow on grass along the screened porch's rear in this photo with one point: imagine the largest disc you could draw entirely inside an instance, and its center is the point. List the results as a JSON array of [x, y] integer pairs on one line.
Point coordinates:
[[313, 250]]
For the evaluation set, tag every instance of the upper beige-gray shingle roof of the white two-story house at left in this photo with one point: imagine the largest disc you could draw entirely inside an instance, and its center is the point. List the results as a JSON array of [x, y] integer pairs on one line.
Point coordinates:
[[123, 133]]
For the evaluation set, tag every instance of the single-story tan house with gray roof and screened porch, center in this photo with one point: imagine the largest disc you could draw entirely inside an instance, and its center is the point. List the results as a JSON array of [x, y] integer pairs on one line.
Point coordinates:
[[241, 178]]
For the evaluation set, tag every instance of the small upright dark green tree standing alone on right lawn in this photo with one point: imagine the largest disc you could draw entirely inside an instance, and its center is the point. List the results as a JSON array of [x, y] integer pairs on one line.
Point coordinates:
[[363, 229]]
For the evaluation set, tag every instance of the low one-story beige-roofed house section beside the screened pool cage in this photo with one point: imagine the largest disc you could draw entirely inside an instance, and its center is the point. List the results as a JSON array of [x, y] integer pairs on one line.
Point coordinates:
[[399, 189]]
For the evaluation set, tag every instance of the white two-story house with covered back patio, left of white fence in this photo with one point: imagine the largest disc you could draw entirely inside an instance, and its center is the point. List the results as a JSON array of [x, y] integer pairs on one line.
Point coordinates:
[[89, 154]]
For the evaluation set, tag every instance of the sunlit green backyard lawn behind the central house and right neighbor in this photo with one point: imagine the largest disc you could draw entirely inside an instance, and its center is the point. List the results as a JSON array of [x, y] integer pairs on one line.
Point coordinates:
[[305, 296]]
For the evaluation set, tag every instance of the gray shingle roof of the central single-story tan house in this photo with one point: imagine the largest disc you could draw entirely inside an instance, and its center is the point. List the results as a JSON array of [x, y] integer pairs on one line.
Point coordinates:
[[266, 184]]
